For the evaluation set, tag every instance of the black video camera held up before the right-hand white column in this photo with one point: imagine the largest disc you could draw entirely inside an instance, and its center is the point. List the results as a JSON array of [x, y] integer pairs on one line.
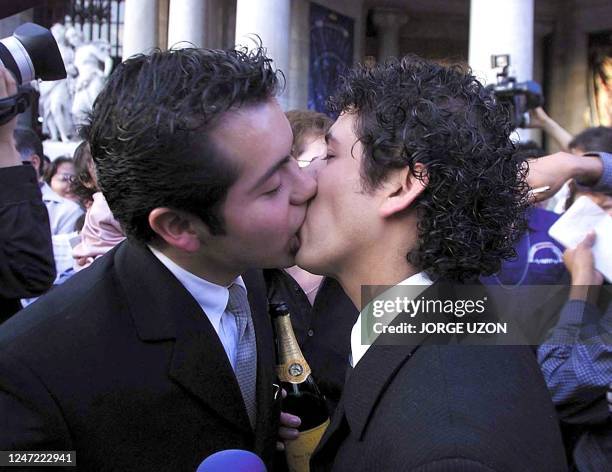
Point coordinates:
[[518, 97]]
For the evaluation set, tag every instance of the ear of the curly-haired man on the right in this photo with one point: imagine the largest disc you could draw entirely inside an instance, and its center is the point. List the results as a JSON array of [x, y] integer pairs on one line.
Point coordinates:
[[401, 189]]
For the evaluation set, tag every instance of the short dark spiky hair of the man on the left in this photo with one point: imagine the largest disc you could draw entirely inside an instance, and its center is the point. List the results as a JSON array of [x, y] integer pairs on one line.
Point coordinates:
[[150, 131]]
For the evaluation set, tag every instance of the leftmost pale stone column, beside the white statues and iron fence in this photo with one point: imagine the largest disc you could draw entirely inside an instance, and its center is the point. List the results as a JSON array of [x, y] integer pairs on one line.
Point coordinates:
[[139, 27]]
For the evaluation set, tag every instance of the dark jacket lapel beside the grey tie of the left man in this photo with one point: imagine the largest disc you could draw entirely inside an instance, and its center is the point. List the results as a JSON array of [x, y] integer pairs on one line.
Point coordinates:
[[162, 309]]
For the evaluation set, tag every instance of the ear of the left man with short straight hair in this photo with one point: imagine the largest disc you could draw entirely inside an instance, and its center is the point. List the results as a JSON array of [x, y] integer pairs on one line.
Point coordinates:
[[177, 228]]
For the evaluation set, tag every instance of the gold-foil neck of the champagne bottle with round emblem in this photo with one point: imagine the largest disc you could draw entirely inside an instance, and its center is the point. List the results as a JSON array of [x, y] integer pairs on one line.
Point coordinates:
[[291, 364]]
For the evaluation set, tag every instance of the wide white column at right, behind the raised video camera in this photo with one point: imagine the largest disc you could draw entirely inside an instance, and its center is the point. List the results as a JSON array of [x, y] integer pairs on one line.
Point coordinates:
[[502, 27]]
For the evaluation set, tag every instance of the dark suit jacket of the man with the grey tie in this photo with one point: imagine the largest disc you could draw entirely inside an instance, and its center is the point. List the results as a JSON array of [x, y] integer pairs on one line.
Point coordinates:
[[121, 365]]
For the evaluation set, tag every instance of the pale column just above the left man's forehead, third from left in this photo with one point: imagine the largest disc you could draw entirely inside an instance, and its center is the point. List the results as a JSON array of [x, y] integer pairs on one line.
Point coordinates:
[[270, 20]]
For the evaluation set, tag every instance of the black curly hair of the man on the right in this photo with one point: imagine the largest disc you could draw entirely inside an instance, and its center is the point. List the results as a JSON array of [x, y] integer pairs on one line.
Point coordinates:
[[414, 111]]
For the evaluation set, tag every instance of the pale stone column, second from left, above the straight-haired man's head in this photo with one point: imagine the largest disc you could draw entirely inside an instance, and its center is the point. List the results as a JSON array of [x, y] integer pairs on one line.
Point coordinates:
[[186, 23]]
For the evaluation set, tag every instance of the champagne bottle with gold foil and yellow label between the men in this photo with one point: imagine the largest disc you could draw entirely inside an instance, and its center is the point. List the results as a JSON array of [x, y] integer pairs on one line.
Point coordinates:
[[303, 396]]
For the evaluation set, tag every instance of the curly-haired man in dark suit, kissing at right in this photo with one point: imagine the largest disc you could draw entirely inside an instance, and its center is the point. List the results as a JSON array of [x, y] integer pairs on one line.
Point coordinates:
[[421, 186]]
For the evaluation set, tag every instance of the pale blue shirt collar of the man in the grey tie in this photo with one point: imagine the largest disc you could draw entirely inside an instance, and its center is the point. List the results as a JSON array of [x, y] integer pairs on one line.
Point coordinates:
[[211, 297]]
